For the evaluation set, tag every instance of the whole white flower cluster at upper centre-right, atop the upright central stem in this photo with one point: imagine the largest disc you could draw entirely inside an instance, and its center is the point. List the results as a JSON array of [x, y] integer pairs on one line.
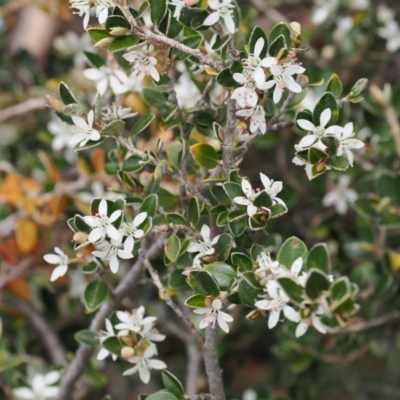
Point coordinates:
[[258, 75]]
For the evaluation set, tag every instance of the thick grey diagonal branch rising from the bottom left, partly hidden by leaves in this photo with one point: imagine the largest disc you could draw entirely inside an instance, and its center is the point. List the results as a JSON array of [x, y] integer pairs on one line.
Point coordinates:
[[84, 352]]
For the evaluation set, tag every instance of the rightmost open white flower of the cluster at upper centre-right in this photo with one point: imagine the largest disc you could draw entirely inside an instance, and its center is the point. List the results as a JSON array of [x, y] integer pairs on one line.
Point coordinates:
[[283, 78]]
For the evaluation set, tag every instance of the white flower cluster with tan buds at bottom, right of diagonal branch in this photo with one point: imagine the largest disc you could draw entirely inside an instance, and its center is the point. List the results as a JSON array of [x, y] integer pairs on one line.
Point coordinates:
[[137, 336]]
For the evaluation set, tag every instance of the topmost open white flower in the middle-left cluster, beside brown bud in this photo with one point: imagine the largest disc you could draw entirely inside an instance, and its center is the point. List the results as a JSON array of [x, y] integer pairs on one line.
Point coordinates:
[[102, 225]]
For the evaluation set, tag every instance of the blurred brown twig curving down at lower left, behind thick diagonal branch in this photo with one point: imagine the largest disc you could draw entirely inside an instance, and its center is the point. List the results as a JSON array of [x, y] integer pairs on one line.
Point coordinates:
[[49, 339]]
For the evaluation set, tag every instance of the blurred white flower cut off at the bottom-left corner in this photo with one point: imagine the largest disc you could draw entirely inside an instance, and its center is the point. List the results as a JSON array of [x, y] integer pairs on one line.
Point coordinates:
[[41, 388]]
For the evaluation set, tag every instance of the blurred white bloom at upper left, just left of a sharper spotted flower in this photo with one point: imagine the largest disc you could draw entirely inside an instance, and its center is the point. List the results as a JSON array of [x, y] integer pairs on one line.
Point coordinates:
[[104, 76]]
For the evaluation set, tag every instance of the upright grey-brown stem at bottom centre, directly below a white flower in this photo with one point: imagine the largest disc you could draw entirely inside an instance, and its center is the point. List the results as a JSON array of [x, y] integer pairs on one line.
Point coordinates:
[[213, 369]]
